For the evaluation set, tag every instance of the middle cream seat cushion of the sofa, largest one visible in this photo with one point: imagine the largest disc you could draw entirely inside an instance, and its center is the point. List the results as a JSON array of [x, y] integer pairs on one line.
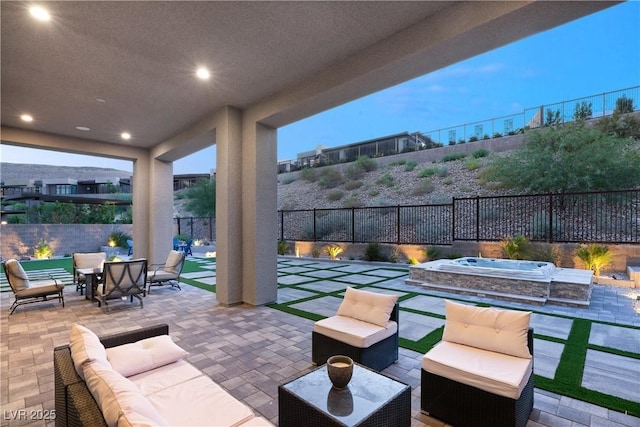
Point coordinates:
[[199, 402]]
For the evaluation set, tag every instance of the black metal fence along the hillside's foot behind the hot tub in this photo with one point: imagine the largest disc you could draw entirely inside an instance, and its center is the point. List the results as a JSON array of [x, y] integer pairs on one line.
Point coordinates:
[[590, 217]]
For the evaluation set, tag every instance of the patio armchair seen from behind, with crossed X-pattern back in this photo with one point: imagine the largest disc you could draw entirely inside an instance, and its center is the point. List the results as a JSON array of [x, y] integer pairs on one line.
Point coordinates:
[[122, 279]]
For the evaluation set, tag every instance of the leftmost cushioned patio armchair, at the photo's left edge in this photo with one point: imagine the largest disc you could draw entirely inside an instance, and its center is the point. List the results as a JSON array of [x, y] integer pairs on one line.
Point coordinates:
[[27, 291]]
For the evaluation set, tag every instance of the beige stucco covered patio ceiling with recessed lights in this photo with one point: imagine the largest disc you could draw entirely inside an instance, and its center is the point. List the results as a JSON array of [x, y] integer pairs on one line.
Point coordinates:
[[129, 66]]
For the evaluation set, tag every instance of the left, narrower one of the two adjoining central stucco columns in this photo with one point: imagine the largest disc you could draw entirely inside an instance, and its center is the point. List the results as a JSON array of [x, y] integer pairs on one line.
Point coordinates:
[[229, 167]]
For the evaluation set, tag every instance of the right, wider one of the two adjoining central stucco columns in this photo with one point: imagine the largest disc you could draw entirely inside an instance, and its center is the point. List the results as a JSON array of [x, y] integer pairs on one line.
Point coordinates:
[[259, 213]]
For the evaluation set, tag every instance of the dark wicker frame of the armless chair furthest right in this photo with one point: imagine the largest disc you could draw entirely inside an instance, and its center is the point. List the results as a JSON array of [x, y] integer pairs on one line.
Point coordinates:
[[463, 405]]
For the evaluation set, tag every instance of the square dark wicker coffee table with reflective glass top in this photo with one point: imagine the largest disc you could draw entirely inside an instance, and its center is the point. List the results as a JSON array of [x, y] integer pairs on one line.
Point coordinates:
[[370, 399]]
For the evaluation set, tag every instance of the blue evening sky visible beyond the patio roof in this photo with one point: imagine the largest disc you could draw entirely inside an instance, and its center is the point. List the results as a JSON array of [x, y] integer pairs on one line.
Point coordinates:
[[596, 54]]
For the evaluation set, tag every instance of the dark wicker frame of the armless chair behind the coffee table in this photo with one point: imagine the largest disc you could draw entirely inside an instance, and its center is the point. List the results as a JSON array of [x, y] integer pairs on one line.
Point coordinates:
[[377, 356]]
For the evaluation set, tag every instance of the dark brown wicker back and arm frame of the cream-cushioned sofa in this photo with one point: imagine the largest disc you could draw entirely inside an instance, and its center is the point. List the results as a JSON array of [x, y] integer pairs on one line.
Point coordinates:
[[75, 406]]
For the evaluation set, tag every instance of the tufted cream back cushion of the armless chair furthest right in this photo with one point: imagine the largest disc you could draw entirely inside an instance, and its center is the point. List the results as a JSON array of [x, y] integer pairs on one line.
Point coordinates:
[[503, 331]]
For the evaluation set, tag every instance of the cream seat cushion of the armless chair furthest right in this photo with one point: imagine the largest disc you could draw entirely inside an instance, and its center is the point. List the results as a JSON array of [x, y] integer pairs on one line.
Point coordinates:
[[496, 373]]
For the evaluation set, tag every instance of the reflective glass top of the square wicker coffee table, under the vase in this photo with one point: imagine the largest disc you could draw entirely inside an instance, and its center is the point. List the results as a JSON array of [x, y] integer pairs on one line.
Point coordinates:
[[366, 392]]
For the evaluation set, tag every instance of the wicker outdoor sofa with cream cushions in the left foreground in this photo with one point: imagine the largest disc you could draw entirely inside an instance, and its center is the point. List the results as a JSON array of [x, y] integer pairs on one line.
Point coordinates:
[[138, 378]]
